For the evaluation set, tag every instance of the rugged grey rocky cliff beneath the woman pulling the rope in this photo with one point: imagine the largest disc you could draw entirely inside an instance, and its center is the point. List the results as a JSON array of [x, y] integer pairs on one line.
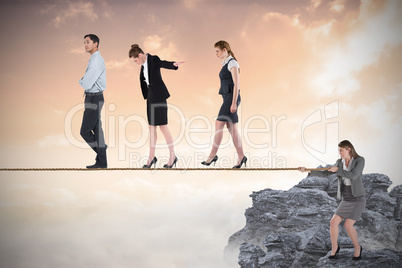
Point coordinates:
[[291, 228]]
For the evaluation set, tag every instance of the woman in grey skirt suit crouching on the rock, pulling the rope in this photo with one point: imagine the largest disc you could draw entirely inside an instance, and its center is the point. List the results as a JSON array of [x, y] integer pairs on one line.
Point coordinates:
[[350, 187]]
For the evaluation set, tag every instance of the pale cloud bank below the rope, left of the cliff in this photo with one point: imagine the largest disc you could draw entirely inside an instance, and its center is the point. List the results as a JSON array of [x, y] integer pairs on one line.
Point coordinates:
[[132, 222]]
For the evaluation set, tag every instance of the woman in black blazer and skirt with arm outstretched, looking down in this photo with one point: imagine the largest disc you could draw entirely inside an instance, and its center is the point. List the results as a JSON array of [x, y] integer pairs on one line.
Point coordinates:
[[155, 92]]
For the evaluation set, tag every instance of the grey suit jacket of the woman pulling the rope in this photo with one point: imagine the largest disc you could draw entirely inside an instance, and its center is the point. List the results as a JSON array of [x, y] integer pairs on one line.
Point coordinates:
[[355, 175]]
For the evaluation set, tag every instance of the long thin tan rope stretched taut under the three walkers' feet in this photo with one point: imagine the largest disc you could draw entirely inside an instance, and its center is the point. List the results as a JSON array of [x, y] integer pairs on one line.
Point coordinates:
[[151, 169]]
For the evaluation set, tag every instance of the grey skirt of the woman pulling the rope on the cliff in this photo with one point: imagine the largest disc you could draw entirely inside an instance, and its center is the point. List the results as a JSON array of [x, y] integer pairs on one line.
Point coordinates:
[[350, 207]]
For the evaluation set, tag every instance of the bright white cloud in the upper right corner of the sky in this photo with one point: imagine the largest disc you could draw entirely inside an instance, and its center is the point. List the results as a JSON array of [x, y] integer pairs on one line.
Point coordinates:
[[356, 48]]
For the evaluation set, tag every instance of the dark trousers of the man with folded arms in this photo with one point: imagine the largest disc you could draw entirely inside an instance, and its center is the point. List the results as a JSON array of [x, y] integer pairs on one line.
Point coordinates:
[[91, 128]]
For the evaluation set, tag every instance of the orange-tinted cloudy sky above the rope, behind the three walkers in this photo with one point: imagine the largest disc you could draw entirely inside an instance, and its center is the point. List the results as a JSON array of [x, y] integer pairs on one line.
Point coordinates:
[[313, 73]]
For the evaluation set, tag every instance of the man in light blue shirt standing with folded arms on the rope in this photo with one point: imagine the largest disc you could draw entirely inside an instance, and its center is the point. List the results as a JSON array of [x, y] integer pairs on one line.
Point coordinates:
[[94, 83]]
